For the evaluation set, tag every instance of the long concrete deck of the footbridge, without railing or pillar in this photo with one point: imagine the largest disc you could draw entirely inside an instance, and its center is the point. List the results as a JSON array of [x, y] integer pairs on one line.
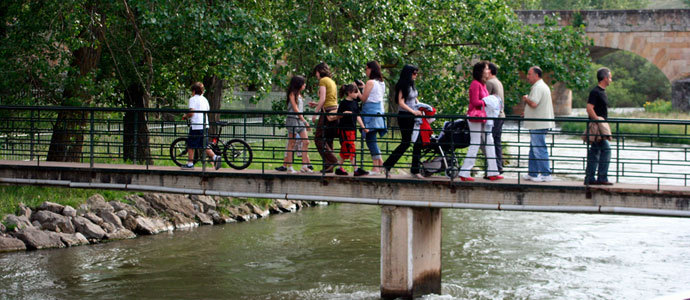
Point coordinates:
[[438, 191]]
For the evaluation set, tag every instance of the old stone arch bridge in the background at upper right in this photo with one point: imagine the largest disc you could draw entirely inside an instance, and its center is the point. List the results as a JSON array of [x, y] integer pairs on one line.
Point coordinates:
[[660, 36]]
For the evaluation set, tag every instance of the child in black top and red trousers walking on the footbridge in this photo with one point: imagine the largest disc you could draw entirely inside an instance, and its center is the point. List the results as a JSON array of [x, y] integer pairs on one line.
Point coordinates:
[[347, 128]]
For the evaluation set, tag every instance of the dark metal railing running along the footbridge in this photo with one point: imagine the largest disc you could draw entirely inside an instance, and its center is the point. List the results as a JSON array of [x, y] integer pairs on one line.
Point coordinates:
[[644, 151]]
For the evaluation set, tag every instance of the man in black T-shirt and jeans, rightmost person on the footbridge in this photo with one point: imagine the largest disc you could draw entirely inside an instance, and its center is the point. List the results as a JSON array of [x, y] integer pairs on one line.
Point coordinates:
[[599, 154]]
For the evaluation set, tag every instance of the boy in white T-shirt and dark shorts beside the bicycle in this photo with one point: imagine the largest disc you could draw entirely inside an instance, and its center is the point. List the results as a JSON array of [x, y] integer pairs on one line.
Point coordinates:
[[199, 126]]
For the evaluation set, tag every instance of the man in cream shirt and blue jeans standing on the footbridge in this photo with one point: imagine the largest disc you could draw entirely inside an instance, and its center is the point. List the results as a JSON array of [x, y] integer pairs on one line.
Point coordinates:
[[538, 105]]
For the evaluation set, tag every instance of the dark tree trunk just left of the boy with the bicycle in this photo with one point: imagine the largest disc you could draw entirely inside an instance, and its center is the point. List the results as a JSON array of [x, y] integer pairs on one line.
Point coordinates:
[[135, 137]]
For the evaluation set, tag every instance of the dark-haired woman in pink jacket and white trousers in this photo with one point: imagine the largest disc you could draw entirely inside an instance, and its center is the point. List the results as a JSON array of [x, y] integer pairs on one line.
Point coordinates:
[[481, 73]]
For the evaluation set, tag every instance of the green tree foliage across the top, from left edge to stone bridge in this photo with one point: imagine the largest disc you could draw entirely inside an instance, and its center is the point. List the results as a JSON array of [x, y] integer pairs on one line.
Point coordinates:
[[155, 48]]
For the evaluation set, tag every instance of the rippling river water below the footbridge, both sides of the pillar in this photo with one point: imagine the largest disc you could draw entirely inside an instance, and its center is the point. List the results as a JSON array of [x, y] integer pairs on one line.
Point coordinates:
[[332, 252]]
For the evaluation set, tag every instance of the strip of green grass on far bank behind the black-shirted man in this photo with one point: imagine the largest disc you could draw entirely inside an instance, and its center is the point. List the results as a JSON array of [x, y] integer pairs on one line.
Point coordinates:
[[665, 133]]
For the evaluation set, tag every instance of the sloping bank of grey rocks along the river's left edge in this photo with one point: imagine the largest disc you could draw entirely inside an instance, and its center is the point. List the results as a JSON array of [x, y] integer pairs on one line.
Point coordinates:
[[97, 220]]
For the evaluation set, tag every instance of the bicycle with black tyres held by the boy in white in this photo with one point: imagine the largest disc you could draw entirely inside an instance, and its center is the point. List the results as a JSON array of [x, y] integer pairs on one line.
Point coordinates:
[[236, 153]]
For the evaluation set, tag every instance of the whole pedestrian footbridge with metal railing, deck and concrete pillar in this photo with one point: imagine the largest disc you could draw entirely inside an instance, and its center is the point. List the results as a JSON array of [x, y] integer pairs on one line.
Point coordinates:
[[649, 168]]
